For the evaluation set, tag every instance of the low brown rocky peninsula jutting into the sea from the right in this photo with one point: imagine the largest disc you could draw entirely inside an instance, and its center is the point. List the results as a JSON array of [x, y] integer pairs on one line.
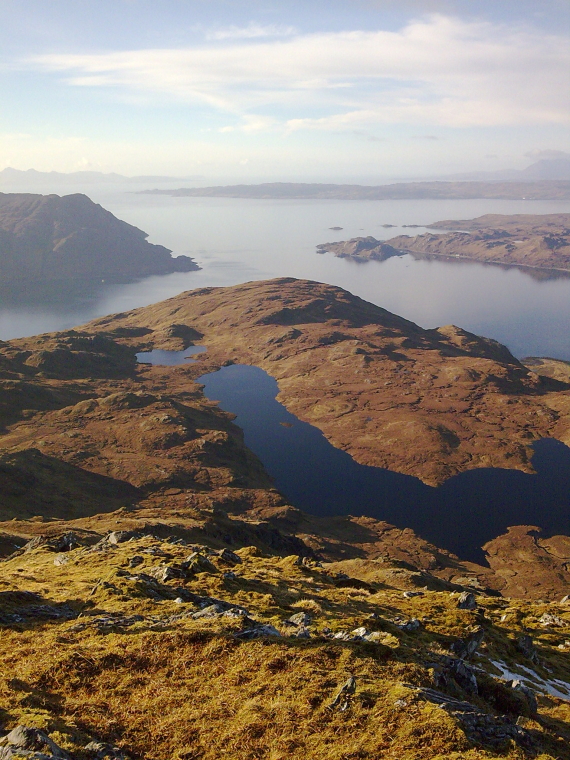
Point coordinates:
[[538, 241]]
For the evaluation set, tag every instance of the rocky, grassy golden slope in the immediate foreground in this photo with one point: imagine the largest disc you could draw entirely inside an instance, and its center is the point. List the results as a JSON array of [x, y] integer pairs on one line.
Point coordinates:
[[147, 644]]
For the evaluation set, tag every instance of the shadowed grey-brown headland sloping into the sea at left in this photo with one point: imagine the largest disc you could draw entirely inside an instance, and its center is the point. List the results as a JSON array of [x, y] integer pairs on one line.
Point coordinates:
[[46, 238]]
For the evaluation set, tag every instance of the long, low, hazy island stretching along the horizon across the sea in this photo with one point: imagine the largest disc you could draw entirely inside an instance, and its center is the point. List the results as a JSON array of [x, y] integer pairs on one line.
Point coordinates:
[[529, 190]]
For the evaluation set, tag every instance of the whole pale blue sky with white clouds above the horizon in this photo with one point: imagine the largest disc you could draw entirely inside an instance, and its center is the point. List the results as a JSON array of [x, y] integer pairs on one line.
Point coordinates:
[[283, 89]]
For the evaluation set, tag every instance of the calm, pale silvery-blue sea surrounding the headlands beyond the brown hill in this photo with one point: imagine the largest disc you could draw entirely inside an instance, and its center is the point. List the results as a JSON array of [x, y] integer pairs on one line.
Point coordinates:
[[237, 240]]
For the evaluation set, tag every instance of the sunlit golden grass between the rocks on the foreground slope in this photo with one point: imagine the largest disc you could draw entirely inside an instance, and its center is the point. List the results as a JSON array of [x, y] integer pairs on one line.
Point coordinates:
[[189, 690]]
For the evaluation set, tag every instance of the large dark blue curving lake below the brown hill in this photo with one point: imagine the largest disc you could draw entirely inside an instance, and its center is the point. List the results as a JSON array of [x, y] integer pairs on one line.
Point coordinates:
[[461, 515]]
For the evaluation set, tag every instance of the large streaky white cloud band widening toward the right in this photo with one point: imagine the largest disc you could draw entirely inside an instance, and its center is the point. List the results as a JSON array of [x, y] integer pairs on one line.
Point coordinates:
[[435, 71]]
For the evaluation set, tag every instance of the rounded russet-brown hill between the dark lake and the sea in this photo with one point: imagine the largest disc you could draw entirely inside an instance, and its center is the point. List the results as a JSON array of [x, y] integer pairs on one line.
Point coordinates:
[[428, 403]]
